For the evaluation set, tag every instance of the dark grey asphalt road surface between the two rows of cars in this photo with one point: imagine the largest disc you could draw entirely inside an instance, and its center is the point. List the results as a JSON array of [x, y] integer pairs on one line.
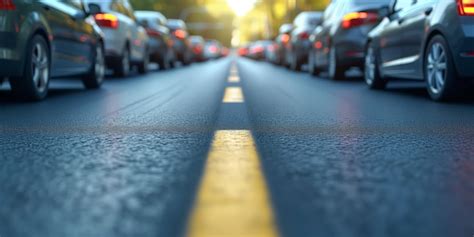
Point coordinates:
[[338, 159]]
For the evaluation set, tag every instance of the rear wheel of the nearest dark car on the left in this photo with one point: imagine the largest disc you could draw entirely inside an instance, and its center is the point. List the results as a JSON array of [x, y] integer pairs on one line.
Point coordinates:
[[34, 83]]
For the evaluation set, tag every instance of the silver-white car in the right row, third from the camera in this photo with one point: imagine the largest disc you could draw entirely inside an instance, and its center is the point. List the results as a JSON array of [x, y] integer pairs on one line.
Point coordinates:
[[299, 46]]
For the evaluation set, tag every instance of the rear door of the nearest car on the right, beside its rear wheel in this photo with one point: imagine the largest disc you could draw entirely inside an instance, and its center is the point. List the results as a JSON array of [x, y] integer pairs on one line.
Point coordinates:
[[414, 23]]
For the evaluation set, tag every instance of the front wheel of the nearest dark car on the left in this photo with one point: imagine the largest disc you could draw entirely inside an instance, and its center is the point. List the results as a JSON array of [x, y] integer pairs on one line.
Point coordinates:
[[95, 77]]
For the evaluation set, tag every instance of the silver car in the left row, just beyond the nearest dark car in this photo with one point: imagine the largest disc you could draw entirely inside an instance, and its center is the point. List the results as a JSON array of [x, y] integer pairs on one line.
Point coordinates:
[[126, 41]]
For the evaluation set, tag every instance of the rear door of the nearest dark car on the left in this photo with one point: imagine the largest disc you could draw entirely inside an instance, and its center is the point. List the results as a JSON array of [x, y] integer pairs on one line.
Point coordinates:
[[61, 18]]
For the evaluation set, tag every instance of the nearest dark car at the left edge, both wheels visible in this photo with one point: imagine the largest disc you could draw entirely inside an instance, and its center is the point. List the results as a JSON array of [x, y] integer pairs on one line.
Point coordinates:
[[44, 39]]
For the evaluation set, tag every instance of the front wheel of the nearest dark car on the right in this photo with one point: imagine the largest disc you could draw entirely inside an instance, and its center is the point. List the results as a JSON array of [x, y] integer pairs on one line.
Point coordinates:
[[371, 71]]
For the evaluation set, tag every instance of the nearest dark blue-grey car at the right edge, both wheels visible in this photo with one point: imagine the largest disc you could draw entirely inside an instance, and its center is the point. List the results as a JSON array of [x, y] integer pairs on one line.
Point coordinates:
[[430, 40]]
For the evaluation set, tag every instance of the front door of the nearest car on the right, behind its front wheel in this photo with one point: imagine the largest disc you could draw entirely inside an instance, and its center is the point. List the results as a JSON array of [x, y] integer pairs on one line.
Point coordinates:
[[391, 39]]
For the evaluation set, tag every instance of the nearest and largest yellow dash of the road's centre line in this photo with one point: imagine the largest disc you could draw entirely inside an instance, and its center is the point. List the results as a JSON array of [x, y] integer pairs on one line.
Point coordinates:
[[233, 199]]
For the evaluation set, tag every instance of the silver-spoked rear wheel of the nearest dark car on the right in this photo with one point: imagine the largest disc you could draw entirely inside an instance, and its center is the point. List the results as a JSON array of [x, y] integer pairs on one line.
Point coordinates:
[[440, 74]]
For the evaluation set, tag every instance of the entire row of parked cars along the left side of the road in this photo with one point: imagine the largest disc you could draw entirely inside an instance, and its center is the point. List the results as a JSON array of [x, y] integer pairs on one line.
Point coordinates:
[[43, 39]]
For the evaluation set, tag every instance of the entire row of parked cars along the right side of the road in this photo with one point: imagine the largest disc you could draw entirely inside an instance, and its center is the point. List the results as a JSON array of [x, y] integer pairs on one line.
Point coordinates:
[[424, 40]]
